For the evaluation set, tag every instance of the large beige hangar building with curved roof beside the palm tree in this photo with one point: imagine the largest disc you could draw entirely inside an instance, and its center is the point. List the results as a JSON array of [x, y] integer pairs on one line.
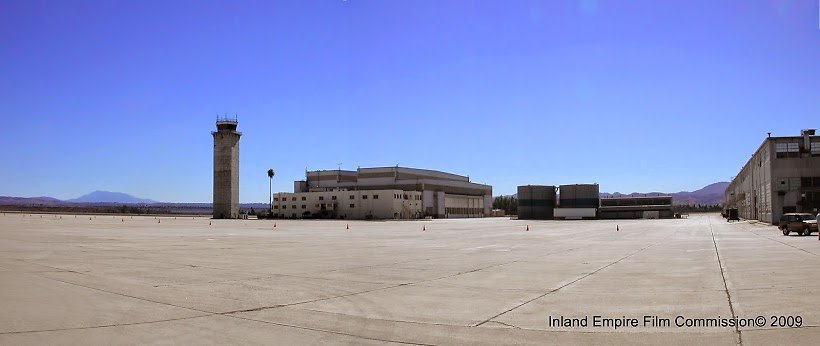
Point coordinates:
[[384, 193]]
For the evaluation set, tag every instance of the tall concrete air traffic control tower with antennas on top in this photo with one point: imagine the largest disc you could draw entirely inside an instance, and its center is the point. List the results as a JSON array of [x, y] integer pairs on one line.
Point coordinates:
[[226, 168]]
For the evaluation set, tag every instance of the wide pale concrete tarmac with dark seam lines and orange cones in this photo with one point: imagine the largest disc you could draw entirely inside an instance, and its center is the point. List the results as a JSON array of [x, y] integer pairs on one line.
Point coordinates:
[[141, 280]]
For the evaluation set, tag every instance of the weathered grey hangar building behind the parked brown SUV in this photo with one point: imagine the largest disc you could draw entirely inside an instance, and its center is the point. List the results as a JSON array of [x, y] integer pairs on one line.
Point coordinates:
[[783, 176]]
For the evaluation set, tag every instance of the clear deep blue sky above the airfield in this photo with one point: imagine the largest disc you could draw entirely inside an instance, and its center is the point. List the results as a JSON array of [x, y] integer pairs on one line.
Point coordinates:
[[634, 95]]
